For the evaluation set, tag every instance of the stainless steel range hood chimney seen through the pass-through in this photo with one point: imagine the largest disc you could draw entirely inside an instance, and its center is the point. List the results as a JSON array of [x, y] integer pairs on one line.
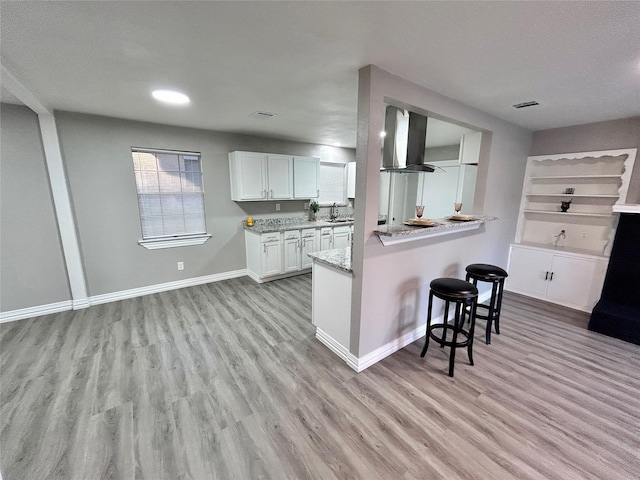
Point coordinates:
[[404, 144]]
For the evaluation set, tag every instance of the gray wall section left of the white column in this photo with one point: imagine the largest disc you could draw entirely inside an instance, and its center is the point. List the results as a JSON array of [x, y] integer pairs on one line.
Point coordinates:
[[33, 272]]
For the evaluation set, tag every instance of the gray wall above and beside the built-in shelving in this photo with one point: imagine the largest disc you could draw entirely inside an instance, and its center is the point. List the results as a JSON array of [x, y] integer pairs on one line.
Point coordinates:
[[611, 135]]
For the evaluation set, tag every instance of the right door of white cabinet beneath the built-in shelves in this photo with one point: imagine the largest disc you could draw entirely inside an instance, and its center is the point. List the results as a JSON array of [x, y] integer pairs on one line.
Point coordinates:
[[571, 281]]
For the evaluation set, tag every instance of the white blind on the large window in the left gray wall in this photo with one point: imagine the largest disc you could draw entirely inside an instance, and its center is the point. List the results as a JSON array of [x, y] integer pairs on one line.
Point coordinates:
[[170, 193]]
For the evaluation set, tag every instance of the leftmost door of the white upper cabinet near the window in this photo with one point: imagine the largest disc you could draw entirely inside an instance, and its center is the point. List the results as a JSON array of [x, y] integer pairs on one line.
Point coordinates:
[[248, 176]]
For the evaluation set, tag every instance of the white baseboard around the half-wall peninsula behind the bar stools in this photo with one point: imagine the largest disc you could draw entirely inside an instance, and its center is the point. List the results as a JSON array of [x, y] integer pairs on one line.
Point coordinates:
[[361, 363]]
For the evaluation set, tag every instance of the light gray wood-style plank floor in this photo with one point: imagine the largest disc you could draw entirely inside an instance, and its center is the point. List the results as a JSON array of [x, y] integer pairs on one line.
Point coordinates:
[[227, 381]]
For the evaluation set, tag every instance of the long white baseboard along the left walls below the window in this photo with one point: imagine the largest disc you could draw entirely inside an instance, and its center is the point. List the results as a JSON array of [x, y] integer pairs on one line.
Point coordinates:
[[39, 310]]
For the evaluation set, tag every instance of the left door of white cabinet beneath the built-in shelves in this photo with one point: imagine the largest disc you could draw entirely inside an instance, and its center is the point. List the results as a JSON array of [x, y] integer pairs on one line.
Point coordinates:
[[529, 271]]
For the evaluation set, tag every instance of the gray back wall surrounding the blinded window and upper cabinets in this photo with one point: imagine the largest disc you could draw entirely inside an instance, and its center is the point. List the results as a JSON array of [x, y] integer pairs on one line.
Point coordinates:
[[97, 153]]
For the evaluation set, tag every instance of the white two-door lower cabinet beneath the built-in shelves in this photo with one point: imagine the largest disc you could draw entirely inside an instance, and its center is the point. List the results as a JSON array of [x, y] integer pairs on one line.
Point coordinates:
[[566, 278]]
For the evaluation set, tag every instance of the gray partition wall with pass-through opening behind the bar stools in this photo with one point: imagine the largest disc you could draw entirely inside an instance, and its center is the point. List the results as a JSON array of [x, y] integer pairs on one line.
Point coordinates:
[[391, 283]]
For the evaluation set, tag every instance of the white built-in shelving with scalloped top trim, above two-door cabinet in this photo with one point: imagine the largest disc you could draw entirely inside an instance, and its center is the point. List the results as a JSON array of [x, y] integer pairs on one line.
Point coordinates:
[[597, 181]]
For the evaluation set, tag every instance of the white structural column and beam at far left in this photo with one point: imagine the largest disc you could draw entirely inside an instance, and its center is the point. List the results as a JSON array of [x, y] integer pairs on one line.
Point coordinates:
[[59, 187]]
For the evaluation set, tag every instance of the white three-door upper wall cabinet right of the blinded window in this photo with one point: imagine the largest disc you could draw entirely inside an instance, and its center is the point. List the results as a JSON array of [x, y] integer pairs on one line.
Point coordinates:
[[263, 176]]
